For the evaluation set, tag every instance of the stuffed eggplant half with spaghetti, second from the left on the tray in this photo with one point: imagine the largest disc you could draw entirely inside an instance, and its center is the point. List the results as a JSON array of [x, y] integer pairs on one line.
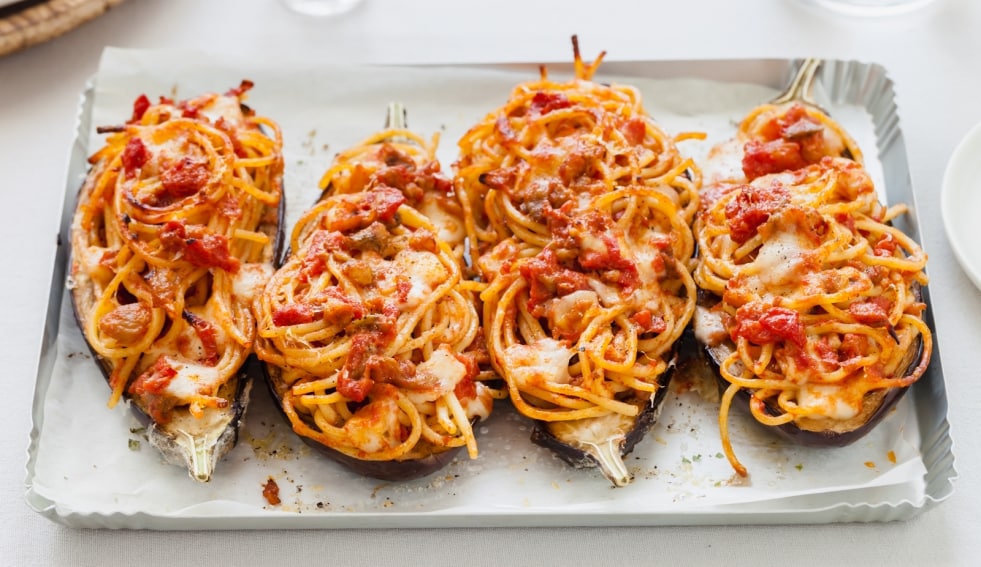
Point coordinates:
[[369, 331]]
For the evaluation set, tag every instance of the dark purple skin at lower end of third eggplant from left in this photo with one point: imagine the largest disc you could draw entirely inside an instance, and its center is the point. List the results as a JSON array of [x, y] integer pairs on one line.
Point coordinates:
[[544, 436]]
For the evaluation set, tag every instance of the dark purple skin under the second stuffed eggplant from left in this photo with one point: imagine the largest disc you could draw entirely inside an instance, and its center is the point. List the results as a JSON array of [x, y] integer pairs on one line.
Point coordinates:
[[392, 471]]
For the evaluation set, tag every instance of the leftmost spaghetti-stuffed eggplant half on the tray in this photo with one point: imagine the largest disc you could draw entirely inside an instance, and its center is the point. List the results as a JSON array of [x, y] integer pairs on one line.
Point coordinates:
[[175, 231]]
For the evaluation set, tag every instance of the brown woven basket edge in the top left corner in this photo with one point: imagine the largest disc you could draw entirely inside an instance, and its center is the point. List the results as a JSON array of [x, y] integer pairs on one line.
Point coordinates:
[[28, 23]]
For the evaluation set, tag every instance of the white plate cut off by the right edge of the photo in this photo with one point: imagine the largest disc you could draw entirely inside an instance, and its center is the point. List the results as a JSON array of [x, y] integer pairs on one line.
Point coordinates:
[[960, 200]]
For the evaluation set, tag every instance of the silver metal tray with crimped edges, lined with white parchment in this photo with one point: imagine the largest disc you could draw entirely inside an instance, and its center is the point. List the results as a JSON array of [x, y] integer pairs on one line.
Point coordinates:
[[88, 466]]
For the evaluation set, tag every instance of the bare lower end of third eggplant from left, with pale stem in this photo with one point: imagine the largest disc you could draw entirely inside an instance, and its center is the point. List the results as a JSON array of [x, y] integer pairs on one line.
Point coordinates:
[[604, 441]]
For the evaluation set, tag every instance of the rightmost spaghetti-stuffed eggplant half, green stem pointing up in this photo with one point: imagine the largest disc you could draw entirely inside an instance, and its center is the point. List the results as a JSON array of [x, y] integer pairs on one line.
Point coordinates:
[[810, 306]]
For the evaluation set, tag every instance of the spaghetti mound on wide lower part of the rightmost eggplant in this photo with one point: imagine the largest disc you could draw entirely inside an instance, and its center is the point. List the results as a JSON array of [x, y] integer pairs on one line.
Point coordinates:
[[818, 312]]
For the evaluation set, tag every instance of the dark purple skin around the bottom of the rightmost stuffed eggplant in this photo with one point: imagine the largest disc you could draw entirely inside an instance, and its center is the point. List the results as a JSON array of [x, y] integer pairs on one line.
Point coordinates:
[[705, 358]]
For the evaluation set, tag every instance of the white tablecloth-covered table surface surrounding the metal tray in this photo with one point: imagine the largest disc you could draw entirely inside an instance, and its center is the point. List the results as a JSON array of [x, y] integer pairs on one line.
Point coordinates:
[[933, 55]]
